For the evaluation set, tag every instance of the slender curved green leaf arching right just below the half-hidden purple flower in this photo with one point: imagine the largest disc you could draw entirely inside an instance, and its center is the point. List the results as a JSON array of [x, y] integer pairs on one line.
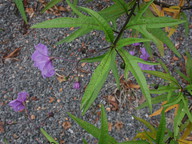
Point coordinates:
[[164, 76]]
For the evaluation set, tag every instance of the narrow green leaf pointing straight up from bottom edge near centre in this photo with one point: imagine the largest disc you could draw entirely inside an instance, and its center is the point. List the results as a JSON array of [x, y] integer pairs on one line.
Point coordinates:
[[103, 139]]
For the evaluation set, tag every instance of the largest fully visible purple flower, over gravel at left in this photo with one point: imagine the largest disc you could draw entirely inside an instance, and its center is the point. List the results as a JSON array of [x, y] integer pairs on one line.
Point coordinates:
[[42, 61]]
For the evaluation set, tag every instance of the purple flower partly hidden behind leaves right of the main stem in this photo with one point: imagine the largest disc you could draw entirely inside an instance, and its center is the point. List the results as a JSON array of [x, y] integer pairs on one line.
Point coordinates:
[[144, 55]]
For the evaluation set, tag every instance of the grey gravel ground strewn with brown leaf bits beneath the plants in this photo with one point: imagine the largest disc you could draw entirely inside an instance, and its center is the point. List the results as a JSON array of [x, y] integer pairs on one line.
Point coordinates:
[[49, 95]]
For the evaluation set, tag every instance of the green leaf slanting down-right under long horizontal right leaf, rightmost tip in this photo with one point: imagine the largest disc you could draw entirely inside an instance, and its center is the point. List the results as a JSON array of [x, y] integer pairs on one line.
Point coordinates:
[[162, 36]]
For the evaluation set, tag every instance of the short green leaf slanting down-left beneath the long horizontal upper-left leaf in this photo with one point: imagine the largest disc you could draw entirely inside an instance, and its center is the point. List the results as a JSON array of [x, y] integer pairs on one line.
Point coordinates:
[[80, 32]]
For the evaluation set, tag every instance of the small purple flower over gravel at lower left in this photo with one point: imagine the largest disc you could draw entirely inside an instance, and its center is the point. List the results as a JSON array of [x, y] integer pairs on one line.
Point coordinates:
[[18, 104]]
